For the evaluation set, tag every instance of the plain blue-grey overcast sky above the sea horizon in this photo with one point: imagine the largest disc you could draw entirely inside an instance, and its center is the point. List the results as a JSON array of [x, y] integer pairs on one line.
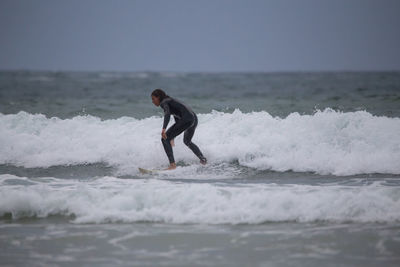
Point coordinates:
[[215, 35]]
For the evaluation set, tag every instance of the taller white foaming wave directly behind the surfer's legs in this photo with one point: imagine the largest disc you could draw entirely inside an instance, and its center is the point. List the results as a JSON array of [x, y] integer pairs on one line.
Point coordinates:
[[327, 142]]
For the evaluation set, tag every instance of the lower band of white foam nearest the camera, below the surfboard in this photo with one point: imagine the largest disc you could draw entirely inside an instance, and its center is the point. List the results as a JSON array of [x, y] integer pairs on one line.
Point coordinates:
[[120, 200]]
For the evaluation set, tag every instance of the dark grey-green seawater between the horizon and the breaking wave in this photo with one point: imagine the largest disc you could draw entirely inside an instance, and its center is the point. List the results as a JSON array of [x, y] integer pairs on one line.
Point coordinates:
[[112, 95]]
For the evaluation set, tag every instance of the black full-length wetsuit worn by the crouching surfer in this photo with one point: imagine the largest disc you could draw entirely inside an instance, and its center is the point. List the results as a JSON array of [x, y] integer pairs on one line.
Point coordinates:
[[185, 120]]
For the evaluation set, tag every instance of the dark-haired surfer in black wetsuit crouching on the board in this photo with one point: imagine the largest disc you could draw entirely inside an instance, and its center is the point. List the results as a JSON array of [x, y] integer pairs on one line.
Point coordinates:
[[185, 121]]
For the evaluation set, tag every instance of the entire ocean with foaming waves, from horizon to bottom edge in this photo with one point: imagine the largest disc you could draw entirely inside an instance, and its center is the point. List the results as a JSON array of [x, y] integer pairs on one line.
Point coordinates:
[[304, 170]]
